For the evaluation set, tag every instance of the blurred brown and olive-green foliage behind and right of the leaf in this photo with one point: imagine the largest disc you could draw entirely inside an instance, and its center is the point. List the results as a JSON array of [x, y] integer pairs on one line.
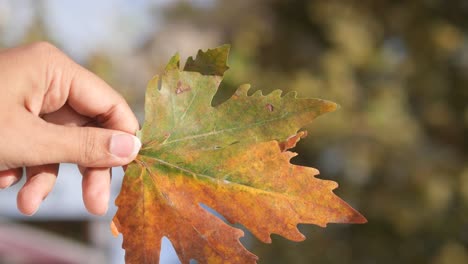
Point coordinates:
[[399, 144]]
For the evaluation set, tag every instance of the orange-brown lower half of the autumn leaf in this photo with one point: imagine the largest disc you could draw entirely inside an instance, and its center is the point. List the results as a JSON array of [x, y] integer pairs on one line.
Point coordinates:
[[269, 195]]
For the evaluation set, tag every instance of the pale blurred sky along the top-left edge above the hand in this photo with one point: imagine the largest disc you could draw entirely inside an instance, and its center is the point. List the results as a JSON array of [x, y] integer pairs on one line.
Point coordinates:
[[83, 27]]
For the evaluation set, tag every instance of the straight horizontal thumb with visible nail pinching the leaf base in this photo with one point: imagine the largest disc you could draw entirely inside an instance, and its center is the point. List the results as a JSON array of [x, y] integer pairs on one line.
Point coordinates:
[[85, 146]]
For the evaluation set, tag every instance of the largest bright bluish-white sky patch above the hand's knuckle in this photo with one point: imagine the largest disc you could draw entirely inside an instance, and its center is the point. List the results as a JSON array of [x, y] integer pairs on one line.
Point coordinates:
[[105, 25]]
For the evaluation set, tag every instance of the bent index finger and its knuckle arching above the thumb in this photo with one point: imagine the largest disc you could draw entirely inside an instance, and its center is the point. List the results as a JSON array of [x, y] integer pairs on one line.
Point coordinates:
[[53, 80]]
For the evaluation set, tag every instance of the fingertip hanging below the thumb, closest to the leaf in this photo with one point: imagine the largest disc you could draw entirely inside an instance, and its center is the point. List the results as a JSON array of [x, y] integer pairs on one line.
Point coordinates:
[[96, 189]]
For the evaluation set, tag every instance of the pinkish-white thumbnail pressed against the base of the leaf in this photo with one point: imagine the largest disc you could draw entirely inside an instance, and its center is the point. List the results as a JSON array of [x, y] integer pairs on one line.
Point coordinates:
[[124, 145]]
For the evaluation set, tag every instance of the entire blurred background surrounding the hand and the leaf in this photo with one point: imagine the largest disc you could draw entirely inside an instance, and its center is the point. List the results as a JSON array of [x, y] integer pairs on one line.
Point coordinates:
[[398, 146]]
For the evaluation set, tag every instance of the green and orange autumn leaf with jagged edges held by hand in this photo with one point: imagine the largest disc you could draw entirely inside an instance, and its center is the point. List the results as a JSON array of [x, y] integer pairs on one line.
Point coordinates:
[[232, 158]]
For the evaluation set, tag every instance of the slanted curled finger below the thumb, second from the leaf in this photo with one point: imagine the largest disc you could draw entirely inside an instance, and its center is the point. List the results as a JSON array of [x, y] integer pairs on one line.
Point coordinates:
[[39, 182]]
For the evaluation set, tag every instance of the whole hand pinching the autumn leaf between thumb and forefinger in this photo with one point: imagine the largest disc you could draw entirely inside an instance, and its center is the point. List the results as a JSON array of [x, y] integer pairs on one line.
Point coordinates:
[[52, 110]]
